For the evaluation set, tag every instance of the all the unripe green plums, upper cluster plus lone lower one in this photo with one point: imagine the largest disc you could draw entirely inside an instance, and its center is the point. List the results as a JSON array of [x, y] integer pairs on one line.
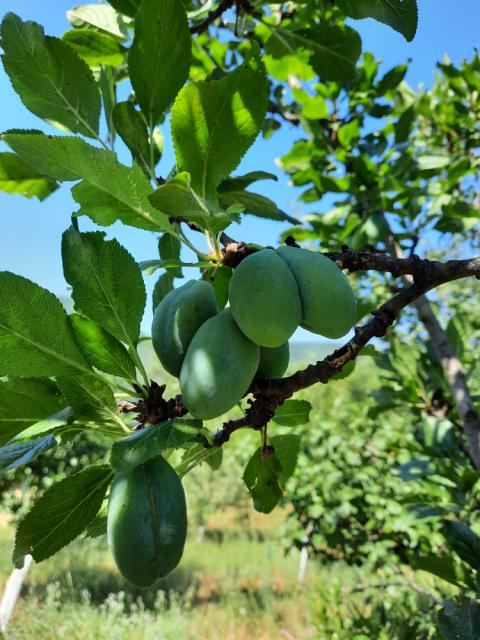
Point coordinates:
[[216, 354]]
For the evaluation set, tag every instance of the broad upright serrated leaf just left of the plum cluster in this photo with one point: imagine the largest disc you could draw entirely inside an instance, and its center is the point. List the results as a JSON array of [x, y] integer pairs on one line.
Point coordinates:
[[107, 284]]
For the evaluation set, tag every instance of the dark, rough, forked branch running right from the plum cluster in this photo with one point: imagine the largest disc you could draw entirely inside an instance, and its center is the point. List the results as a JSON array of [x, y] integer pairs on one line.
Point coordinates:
[[267, 395]]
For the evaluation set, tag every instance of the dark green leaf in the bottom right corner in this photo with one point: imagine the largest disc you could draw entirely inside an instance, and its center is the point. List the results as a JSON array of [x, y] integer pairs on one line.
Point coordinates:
[[459, 619]]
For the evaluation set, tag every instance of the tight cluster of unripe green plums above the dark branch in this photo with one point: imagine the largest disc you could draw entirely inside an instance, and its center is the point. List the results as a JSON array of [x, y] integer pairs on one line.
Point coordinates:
[[216, 354]]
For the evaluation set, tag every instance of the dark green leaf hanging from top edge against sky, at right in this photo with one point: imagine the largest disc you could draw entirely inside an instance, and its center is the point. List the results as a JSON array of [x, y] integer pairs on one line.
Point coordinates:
[[401, 15]]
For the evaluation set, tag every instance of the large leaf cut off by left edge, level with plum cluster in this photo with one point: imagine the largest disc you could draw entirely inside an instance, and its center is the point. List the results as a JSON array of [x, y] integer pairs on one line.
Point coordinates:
[[35, 336]]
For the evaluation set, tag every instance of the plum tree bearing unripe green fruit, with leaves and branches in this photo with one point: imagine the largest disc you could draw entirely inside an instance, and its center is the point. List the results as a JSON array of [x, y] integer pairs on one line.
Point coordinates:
[[297, 64]]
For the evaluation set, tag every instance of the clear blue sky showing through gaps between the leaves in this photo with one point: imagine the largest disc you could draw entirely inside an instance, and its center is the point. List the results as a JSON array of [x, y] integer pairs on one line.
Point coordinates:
[[30, 231]]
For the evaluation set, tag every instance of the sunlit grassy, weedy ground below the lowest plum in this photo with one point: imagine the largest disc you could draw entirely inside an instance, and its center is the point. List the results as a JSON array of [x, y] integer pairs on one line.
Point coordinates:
[[230, 590]]
